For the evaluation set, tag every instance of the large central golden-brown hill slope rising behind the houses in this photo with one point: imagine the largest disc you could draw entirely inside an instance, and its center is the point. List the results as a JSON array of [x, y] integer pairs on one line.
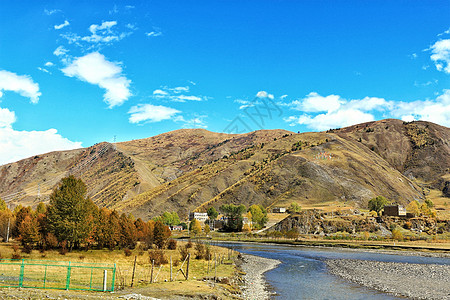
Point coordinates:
[[279, 173]]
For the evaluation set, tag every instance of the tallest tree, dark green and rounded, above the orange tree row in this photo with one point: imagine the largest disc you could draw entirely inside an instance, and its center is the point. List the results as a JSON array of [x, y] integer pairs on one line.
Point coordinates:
[[70, 212]]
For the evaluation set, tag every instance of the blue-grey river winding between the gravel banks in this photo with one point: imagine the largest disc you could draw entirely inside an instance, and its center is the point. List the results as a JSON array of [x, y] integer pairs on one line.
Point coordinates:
[[303, 273]]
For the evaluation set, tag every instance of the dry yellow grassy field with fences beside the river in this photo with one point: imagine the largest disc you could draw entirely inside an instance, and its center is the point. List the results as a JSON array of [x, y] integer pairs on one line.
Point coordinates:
[[161, 287]]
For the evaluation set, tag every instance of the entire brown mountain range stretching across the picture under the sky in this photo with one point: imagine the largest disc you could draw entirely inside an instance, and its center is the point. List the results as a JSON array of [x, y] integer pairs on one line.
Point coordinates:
[[191, 169]]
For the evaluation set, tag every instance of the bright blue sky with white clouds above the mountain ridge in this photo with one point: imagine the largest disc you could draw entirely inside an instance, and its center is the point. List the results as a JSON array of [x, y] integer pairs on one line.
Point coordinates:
[[75, 73]]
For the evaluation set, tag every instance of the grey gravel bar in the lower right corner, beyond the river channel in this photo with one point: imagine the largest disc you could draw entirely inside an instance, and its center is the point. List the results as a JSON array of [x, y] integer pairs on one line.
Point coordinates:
[[416, 281]]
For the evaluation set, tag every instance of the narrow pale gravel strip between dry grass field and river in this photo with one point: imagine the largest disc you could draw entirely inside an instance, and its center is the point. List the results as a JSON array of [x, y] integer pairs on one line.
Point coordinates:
[[254, 267]]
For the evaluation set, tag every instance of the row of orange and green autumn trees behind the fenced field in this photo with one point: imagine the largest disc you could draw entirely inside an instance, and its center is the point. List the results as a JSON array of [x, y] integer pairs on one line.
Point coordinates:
[[72, 221]]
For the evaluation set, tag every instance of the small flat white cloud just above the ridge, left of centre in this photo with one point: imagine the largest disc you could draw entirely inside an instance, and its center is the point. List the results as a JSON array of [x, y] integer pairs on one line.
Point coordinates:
[[151, 113]]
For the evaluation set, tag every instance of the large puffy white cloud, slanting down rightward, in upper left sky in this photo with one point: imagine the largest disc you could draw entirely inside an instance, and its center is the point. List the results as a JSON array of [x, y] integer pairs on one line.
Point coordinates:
[[95, 69]]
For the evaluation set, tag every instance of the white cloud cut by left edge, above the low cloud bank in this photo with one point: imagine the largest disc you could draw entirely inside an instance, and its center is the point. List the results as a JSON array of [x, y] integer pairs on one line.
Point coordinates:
[[21, 84]]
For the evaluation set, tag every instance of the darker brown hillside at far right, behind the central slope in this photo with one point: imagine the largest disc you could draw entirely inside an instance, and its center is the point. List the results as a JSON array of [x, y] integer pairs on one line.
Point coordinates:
[[417, 149]]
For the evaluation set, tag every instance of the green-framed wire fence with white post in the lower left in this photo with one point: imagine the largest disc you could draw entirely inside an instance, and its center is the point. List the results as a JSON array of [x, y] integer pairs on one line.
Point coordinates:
[[57, 275]]
